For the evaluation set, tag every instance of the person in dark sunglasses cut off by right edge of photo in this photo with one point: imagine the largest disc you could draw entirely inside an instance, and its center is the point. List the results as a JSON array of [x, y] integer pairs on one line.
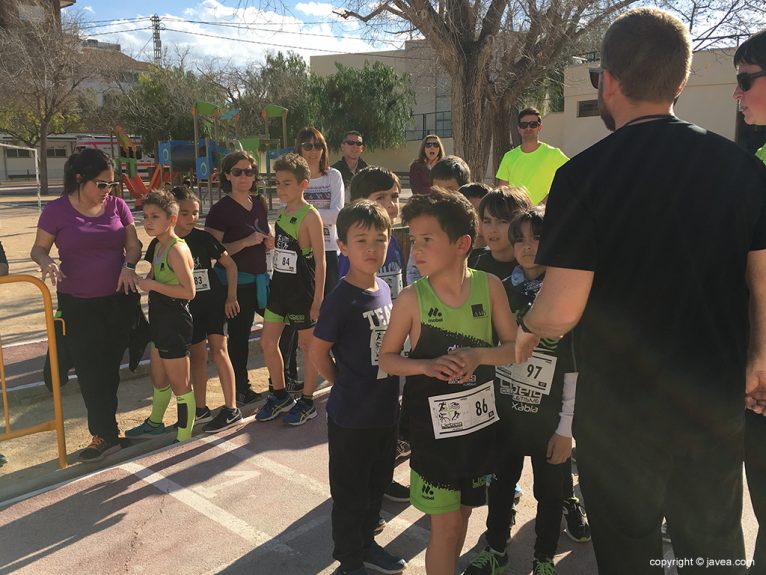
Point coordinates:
[[750, 93]]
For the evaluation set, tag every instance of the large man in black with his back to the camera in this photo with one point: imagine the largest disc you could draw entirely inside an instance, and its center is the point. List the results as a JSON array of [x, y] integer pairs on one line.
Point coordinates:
[[655, 242]]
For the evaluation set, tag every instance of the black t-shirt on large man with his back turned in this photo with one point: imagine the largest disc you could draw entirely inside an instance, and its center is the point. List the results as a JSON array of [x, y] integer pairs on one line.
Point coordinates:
[[664, 213]]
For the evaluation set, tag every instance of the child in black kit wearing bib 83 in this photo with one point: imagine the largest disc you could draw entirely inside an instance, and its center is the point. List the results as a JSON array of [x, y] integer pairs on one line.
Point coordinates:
[[210, 308]]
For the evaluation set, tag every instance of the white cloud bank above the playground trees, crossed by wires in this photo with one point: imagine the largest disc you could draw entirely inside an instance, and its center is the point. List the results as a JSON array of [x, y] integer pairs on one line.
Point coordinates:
[[242, 36]]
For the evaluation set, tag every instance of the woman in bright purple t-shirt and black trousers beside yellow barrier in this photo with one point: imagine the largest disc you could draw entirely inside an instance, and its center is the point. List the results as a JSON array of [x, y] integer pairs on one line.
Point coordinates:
[[95, 282]]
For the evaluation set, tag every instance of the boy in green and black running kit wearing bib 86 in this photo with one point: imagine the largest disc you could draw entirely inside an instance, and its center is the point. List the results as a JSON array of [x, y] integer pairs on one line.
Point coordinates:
[[449, 403]]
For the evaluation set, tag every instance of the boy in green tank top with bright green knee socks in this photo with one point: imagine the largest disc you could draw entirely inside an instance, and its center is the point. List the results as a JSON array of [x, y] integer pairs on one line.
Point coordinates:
[[170, 285]]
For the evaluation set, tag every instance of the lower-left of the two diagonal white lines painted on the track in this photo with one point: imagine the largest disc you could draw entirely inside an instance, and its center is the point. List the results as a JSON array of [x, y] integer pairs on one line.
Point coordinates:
[[201, 505]]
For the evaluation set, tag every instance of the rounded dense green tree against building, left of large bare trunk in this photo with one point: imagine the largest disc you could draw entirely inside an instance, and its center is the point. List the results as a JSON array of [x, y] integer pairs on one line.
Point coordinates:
[[374, 100]]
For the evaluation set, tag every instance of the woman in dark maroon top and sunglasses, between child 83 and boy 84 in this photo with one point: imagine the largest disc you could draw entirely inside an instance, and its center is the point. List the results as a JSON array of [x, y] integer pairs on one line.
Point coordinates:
[[239, 222]]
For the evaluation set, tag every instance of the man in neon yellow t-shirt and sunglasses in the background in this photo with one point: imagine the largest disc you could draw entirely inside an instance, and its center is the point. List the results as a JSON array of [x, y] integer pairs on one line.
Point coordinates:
[[534, 163]]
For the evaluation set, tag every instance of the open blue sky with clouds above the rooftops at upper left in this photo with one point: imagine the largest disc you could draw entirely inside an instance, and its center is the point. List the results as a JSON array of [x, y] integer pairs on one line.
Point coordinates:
[[219, 32]]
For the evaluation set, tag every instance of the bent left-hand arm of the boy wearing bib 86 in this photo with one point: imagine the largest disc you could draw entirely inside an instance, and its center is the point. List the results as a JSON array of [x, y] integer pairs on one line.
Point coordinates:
[[405, 321]]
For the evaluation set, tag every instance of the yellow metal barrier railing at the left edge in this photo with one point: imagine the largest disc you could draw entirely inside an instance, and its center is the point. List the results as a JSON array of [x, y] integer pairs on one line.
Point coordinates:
[[57, 423]]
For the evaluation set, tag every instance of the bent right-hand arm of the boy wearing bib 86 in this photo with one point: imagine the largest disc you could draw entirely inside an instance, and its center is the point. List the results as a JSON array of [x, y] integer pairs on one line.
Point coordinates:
[[502, 320]]
